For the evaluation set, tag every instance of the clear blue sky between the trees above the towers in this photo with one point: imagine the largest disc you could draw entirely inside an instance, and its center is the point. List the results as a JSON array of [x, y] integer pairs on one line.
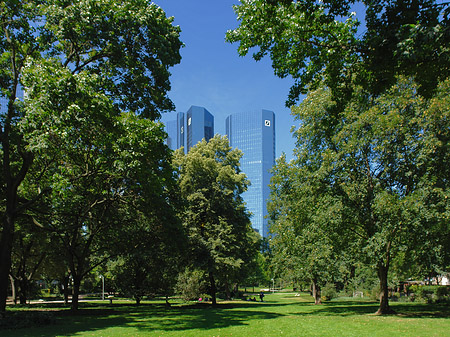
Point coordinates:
[[211, 73]]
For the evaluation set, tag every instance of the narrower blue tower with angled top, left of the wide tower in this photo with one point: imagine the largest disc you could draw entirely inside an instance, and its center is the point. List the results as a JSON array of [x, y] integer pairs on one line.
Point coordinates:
[[199, 125]]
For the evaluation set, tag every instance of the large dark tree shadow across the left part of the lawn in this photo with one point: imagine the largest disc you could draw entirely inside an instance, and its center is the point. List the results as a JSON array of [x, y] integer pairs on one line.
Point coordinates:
[[147, 317]]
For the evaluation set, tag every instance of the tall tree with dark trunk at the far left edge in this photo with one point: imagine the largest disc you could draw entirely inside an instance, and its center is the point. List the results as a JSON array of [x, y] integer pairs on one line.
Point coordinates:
[[127, 46]]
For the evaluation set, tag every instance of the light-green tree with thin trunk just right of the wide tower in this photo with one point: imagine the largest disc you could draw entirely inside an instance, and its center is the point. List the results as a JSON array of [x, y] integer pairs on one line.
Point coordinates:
[[303, 219]]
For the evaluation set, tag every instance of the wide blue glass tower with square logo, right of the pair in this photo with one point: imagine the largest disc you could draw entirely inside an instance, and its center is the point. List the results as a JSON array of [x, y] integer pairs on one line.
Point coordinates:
[[254, 134]]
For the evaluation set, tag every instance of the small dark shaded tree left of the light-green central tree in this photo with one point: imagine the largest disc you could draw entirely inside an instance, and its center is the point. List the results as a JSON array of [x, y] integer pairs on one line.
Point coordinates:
[[149, 250]]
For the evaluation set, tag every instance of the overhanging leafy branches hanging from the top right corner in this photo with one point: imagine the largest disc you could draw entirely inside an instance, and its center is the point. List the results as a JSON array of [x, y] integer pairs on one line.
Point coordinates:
[[318, 42]]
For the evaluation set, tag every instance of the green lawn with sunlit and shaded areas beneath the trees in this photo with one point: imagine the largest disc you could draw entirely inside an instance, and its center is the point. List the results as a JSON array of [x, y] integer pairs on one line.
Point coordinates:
[[282, 314]]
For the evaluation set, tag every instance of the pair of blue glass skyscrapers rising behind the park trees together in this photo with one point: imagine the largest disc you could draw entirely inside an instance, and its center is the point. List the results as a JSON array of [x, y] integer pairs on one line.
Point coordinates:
[[251, 132]]
